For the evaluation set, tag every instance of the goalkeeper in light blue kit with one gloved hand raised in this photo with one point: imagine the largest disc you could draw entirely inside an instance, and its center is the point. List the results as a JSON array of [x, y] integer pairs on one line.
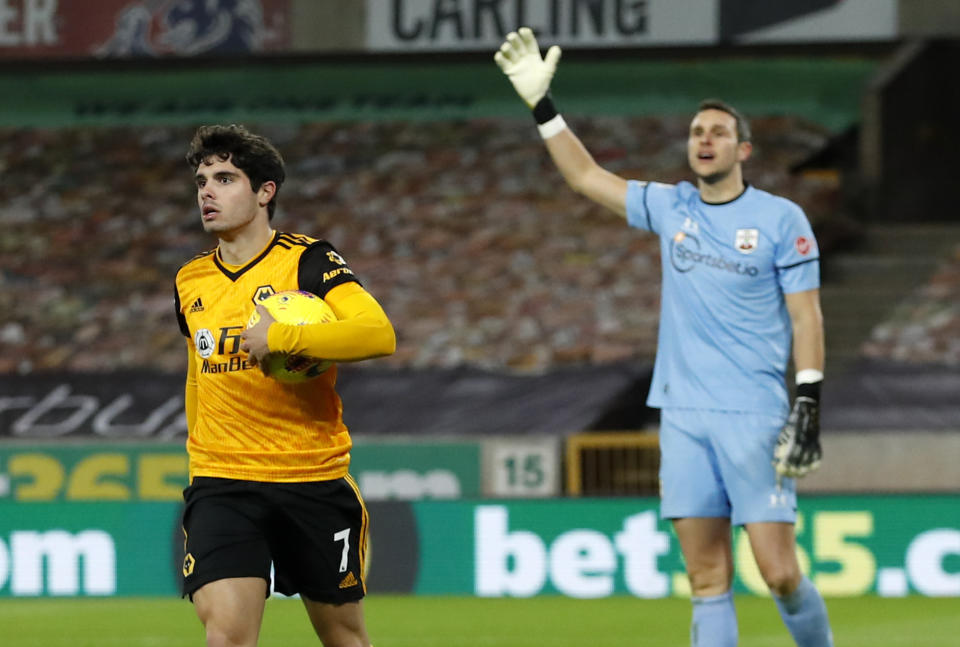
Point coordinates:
[[740, 282]]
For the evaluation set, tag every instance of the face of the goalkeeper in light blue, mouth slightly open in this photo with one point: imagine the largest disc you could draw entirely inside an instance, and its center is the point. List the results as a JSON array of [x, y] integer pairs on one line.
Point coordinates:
[[713, 149]]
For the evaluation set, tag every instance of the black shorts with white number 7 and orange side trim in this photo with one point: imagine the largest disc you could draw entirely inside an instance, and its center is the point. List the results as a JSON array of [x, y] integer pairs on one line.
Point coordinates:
[[315, 534]]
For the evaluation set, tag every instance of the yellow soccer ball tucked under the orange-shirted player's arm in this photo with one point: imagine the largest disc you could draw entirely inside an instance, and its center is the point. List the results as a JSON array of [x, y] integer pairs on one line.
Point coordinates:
[[294, 307]]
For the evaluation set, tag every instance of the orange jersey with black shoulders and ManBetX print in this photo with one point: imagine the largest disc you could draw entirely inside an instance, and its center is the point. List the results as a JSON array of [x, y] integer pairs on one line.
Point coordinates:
[[248, 426]]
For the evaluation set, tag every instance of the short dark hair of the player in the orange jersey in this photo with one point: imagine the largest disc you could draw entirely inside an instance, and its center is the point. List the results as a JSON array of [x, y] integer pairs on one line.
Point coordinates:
[[253, 154]]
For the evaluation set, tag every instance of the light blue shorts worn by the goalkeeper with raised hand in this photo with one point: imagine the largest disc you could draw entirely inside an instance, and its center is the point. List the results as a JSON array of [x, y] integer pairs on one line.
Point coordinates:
[[719, 464]]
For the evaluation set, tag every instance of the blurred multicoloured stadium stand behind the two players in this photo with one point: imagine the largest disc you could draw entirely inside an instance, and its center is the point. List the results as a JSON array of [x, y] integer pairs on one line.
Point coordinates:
[[464, 231]]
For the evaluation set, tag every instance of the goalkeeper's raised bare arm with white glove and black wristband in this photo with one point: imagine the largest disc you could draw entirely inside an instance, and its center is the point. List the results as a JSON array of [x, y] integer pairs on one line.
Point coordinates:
[[530, 73]]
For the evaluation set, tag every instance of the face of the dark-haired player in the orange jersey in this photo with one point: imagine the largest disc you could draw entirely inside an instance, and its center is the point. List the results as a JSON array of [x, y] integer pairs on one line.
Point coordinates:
[[226, 199]]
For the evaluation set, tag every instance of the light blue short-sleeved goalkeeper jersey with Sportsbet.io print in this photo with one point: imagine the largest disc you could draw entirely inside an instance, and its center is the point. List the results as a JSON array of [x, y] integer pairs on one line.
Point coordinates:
[[725, 333]]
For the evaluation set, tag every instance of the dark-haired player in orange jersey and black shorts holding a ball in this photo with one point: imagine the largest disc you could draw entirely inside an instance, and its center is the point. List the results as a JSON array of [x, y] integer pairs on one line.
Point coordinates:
[[269, 480]]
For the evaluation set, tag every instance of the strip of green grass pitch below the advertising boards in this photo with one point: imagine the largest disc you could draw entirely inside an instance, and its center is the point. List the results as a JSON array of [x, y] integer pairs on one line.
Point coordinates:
[[399, 621]]
